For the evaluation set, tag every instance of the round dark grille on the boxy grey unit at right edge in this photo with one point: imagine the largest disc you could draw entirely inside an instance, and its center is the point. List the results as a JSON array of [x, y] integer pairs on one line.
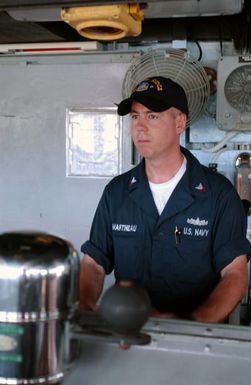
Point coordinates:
[[238, 88]]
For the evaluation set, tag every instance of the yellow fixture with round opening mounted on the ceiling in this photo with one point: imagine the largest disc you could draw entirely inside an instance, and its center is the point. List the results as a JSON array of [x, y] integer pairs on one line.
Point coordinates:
[[105, 22]]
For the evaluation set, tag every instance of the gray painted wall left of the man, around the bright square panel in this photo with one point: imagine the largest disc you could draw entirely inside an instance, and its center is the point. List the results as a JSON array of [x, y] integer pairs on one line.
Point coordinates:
[[35, 193]]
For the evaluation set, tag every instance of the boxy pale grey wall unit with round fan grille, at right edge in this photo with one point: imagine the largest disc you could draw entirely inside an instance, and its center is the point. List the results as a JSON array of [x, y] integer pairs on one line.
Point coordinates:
[[233, 111]]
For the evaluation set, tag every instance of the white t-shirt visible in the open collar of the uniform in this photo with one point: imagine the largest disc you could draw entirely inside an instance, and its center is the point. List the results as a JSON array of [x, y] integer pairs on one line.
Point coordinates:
[[162, 191]]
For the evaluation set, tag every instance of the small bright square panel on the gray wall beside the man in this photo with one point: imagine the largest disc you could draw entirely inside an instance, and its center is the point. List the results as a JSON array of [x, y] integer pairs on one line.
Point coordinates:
[[93, 142]]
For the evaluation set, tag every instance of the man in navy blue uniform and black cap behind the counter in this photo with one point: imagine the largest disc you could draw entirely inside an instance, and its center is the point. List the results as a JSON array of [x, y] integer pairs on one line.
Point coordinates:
[[170, 224]]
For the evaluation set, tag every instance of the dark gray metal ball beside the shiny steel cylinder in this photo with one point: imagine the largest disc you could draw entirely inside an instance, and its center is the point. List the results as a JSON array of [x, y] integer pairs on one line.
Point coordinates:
[[125, 307]]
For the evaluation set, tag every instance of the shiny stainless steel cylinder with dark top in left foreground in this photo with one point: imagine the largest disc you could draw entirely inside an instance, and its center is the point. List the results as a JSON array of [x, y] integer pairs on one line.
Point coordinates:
[[38, 294]]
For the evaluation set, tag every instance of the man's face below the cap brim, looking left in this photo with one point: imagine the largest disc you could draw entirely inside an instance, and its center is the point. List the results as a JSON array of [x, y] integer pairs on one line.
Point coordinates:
[[156, 134]]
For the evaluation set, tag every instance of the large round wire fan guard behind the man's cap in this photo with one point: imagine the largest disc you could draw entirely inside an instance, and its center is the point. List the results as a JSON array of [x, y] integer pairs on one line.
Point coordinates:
[[177, 65]]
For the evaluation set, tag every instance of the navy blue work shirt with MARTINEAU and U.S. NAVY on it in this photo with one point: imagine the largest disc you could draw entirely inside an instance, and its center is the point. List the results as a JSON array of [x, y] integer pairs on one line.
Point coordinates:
[[176, 256]]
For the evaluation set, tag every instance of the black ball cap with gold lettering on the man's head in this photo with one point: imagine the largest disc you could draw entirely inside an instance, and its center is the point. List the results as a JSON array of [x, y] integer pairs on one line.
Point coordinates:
[[158, 94]]
